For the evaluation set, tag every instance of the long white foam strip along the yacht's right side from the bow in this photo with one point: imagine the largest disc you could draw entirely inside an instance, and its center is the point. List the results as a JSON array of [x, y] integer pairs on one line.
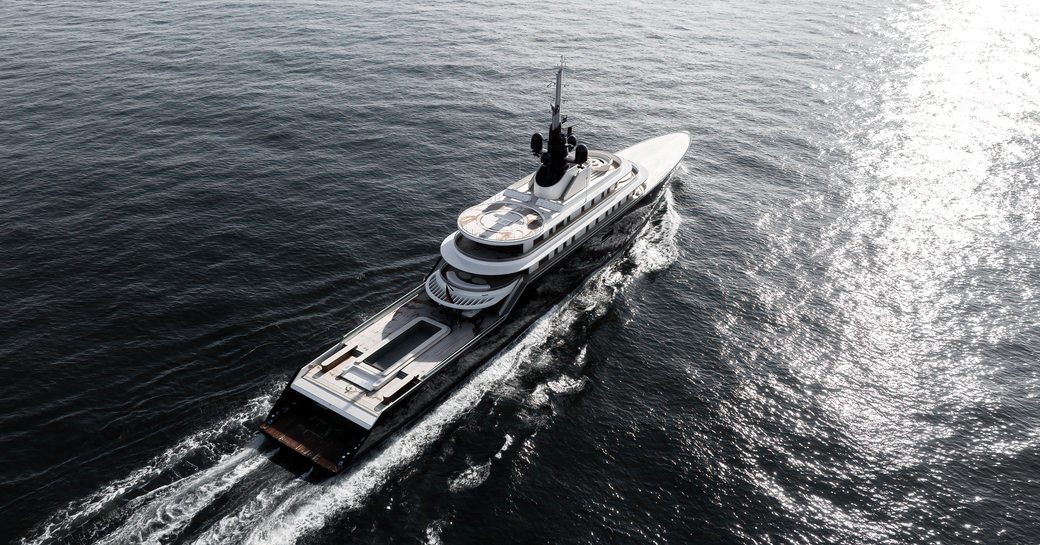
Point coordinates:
[[303, 508]]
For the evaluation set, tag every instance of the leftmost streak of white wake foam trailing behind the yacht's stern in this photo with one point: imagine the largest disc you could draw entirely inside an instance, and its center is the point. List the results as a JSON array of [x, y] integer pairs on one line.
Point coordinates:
[[58, 528]]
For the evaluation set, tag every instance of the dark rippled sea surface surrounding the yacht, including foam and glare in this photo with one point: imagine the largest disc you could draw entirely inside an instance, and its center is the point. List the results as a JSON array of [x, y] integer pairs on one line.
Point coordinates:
[[830, 334]]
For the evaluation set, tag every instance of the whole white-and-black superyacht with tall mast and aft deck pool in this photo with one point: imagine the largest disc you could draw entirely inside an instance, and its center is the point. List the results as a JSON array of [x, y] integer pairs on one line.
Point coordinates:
[[511, 259]]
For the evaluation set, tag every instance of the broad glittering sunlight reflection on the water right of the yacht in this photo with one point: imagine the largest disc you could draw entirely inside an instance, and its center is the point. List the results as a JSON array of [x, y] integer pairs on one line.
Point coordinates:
[[894, 318]]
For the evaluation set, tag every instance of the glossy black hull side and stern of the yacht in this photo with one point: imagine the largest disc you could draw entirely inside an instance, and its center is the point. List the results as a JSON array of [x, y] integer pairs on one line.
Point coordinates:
[[332, 443]]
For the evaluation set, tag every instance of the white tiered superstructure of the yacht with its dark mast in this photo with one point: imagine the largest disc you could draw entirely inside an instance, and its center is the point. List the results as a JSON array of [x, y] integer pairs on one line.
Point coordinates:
[[527, 225]]
